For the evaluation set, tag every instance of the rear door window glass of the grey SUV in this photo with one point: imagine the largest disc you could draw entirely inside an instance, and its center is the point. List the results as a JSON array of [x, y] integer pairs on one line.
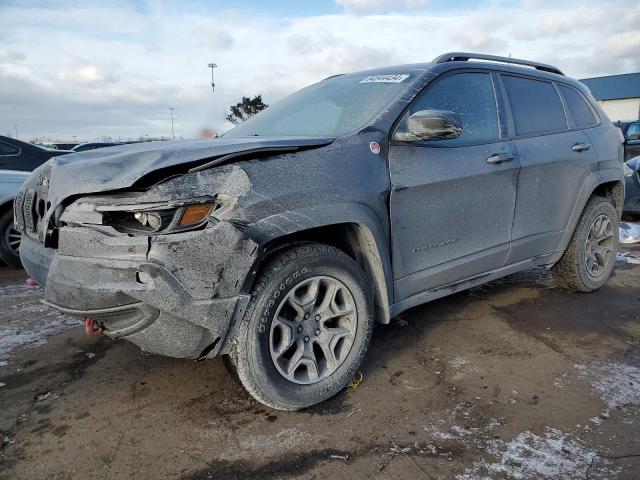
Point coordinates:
[[535, 105]]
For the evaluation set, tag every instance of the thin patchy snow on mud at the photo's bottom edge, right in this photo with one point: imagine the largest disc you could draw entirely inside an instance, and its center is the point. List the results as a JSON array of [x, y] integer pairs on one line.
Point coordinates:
[[553, 455]]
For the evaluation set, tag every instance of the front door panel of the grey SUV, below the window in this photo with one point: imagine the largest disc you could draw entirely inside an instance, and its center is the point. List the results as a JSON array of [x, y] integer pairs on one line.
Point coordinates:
[[451, 213]]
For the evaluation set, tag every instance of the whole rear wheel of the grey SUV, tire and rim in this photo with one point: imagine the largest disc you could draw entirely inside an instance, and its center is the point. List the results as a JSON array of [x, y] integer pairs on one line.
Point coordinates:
[[589, 259]]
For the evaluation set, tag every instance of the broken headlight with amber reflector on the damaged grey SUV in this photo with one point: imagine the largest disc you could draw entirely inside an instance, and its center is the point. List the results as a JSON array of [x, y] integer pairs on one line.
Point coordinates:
[[142, 218]]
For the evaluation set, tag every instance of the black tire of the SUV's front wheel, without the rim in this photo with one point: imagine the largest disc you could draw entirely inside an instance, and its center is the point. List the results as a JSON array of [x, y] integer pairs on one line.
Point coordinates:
[[252, 356]]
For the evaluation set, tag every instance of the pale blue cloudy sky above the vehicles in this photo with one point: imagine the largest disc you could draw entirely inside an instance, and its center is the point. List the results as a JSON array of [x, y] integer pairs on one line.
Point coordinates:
[[114, 67]]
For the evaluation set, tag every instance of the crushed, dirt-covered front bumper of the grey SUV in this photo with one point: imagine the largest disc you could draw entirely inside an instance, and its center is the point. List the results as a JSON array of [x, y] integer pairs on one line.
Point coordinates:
[[175, 295]]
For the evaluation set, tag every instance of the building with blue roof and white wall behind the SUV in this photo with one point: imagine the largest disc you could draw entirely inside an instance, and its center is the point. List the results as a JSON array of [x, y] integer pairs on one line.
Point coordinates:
[[619, 95]]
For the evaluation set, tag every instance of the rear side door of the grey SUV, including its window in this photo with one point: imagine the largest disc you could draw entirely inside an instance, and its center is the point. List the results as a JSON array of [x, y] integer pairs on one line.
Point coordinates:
[[555, 158]]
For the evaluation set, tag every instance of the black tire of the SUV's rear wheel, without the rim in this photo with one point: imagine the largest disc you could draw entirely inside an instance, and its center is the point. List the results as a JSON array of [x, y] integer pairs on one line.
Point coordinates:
[[572, 271]]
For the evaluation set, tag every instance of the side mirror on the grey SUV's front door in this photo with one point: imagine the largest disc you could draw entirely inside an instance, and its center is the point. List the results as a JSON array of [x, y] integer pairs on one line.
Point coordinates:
[[430, 125]]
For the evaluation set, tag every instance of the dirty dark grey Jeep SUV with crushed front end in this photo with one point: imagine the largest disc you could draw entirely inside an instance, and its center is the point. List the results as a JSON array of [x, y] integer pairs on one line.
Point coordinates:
[[346, 203]]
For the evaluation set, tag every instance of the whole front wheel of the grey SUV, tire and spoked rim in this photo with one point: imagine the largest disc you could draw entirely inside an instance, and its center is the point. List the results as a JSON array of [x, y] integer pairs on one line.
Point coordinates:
[[306, 329]]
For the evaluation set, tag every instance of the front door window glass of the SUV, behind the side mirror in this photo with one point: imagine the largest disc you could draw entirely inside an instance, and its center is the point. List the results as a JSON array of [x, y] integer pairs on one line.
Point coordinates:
[[471, 97]]
